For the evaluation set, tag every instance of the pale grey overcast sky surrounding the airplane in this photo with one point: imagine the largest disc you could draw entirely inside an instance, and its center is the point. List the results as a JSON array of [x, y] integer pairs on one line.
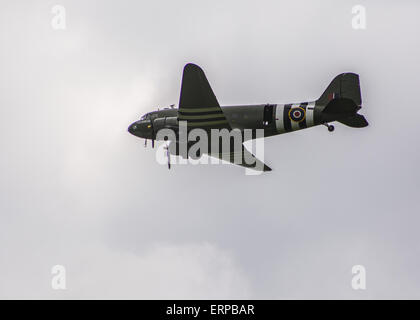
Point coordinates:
[[76, 189]]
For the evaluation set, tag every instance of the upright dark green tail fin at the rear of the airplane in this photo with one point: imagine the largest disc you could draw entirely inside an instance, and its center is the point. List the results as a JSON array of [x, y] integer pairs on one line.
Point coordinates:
[[345, 85]]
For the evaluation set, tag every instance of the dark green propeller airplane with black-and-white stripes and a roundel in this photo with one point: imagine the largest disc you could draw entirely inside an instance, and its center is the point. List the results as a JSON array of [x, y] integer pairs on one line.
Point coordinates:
[[199, 107]]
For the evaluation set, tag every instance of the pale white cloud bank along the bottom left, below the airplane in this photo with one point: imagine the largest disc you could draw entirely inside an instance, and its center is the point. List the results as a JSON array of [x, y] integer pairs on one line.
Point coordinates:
[[187, 271]]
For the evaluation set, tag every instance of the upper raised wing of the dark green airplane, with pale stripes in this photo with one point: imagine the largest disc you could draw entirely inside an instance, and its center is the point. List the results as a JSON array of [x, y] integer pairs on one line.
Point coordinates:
[[197, 103]]
